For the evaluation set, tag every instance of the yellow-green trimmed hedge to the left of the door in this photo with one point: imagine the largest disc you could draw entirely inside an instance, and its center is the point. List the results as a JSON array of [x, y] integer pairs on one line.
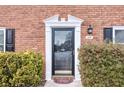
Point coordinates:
[[20, 69]]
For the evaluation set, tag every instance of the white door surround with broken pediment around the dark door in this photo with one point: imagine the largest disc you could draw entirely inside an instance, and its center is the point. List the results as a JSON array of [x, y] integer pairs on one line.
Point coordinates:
[[54, 22]]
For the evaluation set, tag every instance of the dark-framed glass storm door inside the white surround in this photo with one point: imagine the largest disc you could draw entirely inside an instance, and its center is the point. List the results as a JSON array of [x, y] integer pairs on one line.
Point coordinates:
[[63, 51]]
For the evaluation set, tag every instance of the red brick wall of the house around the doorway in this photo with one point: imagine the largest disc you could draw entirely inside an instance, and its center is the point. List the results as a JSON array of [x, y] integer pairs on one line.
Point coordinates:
[[28, 22]]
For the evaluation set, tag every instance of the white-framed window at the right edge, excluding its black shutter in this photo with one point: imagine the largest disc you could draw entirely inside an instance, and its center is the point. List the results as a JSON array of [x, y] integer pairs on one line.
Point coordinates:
[[118, 35]]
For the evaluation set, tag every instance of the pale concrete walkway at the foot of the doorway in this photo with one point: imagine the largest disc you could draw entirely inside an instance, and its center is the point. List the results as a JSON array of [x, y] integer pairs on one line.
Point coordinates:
[[51, 83]]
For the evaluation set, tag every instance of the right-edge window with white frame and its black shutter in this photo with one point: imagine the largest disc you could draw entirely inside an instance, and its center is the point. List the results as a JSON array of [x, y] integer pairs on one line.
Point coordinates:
[[114, 34]]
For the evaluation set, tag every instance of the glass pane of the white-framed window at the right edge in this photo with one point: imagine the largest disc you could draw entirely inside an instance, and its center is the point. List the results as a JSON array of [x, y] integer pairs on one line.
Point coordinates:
[[119, 36]]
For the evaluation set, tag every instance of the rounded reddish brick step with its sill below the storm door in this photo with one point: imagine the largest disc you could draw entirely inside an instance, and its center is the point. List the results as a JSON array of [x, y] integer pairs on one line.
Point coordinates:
[[63, 79]]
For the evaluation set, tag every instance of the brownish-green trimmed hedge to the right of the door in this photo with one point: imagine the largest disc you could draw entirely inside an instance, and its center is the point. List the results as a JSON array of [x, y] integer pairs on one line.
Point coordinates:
[[102, 66]]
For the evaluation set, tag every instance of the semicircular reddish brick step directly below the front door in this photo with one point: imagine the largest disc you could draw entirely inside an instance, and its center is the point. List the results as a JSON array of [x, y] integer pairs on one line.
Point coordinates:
[[63, 80]]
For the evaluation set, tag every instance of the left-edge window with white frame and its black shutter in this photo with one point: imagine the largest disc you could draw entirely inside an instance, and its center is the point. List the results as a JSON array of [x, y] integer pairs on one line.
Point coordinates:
[[7, 38]]
